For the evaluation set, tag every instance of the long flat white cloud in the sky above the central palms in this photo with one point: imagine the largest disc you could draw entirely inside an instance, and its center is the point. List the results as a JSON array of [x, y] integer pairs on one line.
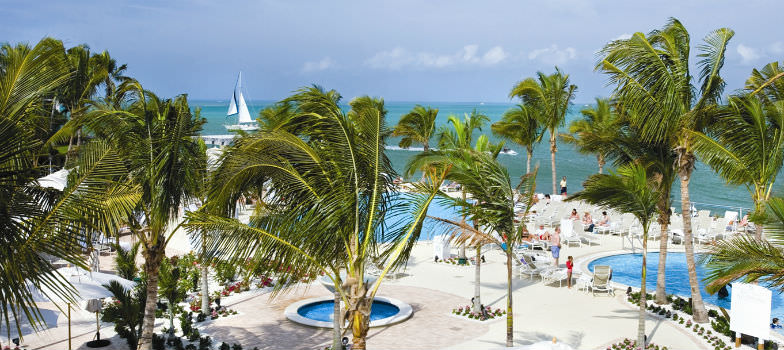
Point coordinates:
[[399, 57]]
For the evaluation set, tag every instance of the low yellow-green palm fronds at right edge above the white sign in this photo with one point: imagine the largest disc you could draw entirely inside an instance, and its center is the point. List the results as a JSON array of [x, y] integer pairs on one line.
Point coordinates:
[[750, 258]]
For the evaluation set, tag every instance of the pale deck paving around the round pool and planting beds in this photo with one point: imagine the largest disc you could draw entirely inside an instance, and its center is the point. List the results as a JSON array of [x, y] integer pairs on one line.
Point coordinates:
[[541, 312]]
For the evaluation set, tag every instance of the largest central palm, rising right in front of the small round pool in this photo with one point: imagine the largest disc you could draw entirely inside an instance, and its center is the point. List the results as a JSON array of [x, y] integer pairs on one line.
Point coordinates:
[[333, 182]]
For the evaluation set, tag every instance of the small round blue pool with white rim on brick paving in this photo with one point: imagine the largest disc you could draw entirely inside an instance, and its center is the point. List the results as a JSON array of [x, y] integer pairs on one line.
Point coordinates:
[[318, 312]]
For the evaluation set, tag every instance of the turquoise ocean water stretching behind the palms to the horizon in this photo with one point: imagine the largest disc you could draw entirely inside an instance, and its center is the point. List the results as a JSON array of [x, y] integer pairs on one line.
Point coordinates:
[[707, 189]]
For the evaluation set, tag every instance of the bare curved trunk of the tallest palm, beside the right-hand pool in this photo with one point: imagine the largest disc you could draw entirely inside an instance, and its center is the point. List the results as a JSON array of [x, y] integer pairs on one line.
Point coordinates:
[[698, 307]]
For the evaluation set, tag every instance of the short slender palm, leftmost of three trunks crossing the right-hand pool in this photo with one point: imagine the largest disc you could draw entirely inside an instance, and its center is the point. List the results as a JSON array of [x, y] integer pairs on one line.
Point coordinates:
[[628, 191]]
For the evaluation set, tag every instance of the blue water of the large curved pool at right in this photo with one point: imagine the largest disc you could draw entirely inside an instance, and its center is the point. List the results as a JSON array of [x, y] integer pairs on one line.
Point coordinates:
[[626, 270]]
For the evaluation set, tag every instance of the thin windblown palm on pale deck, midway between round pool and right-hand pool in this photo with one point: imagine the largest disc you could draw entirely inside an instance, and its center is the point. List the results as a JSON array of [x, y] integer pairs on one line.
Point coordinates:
[[480, 174]]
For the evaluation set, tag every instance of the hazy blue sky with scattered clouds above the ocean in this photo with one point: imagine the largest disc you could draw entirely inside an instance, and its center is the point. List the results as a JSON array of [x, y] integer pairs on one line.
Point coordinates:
[[401, 50]]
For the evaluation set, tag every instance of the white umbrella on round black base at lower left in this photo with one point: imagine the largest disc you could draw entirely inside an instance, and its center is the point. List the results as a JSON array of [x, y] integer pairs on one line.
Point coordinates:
[[89, 286]]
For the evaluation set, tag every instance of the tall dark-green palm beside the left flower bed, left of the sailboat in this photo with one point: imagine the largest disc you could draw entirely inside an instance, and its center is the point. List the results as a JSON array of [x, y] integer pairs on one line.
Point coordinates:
[[163, 159]]
